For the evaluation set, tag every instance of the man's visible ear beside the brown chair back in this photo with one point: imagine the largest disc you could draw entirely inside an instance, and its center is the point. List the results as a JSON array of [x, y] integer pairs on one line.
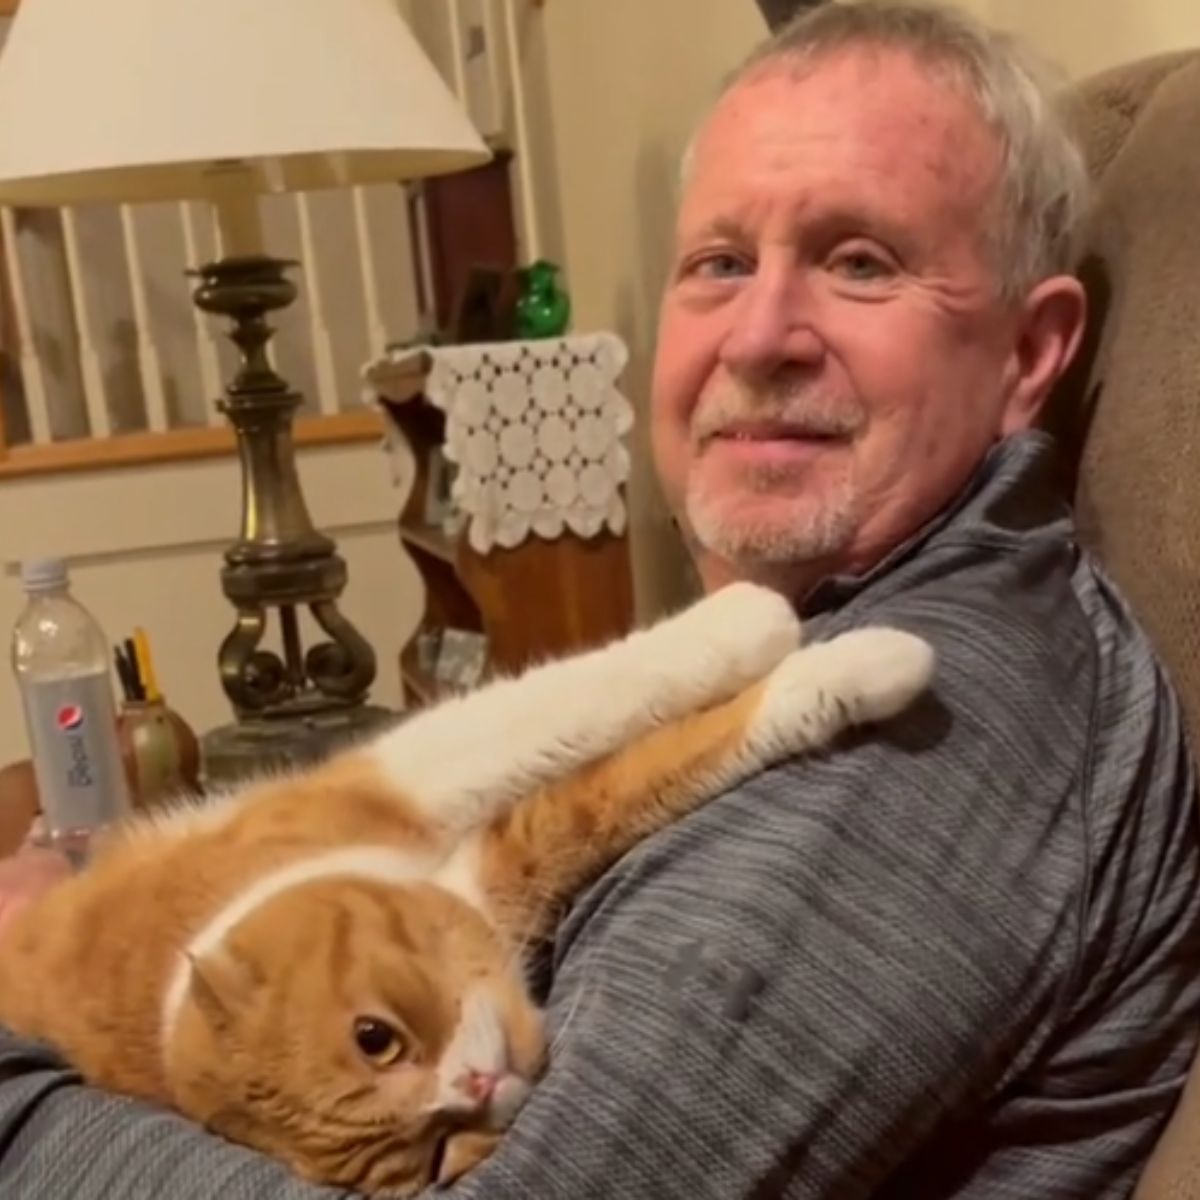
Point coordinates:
[[1051, 327]]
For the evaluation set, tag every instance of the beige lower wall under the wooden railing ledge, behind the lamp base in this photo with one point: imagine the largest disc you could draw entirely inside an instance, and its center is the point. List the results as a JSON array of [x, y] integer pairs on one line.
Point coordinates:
[[146, 547]]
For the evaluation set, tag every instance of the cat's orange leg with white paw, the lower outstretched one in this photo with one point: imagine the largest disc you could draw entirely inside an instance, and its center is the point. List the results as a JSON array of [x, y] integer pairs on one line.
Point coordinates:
[[542, 853]]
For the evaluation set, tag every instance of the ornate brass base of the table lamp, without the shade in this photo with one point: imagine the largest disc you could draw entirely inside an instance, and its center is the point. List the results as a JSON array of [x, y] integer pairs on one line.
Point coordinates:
[[296, 706]]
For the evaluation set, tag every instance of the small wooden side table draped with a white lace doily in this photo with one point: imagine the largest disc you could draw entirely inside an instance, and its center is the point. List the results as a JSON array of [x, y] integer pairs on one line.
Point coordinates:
[[517, 519]]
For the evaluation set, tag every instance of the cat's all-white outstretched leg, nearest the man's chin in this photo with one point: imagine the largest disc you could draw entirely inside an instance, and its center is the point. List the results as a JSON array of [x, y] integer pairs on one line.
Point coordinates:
[[470, 759]]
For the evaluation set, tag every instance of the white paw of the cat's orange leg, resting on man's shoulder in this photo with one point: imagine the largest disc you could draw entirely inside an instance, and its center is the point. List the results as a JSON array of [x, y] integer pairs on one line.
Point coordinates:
[[862, 676]]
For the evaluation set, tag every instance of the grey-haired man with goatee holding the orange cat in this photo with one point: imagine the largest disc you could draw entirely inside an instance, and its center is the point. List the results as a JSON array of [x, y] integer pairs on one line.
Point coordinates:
[[953, 958]]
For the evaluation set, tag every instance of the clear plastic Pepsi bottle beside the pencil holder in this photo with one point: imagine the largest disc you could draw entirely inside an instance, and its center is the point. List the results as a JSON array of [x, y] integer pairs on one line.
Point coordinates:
[[62, 662]]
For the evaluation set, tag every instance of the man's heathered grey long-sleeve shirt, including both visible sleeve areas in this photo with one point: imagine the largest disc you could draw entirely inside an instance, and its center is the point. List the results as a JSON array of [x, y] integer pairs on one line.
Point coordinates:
[[955, 958]]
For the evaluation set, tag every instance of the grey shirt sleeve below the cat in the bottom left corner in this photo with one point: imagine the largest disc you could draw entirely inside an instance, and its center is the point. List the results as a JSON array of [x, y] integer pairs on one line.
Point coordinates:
[[61, 1139]]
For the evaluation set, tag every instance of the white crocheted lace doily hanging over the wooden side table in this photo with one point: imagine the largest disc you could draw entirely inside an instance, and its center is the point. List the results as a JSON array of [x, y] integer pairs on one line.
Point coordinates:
[[536, 429]]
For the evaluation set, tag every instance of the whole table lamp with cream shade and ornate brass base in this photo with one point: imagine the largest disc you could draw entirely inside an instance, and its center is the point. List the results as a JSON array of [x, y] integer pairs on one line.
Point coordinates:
[[223, 101]]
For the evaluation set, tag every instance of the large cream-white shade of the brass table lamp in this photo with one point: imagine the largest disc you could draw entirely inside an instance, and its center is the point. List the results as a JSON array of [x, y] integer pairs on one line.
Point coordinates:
[[137, 100]]
